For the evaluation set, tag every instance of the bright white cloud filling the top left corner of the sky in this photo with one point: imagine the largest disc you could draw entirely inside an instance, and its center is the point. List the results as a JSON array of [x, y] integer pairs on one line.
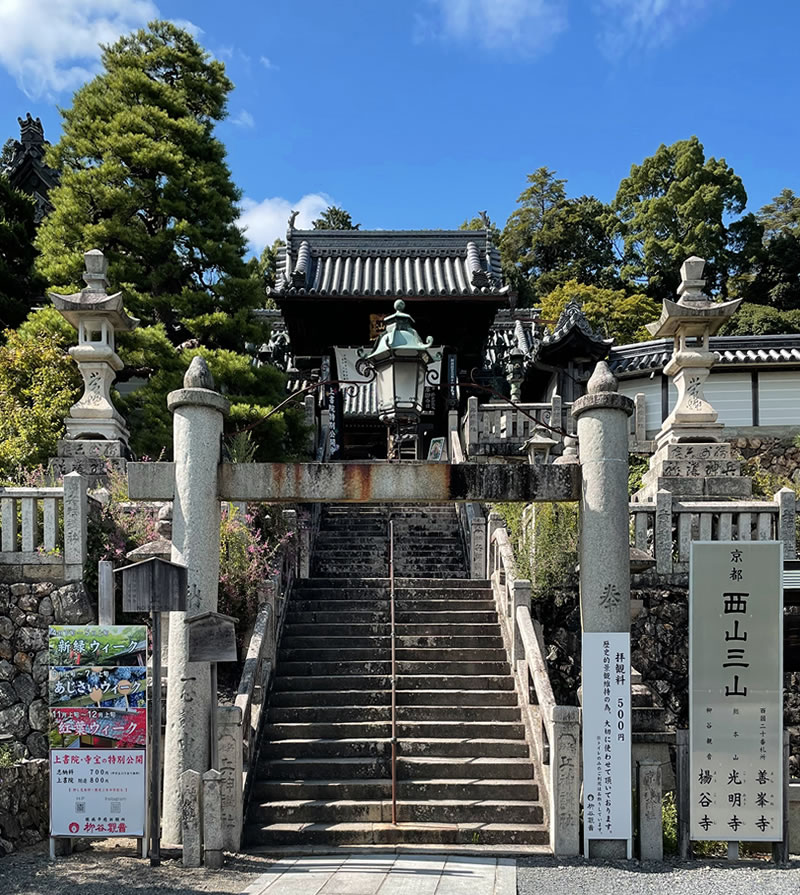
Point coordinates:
[[50, 46]]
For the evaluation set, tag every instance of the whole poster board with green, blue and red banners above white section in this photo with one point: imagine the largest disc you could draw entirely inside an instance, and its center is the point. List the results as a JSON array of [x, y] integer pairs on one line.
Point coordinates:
[[98, 730]]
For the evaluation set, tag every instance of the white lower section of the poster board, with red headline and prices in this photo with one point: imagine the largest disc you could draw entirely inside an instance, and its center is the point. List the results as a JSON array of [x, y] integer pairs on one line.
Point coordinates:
[[97, 792]]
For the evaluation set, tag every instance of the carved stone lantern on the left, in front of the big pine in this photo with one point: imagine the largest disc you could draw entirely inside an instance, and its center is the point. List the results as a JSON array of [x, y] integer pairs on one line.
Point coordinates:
[[96, 433]]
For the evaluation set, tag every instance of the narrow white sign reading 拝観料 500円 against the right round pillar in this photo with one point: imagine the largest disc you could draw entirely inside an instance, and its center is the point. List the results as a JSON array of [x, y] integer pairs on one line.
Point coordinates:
[[606, 738]]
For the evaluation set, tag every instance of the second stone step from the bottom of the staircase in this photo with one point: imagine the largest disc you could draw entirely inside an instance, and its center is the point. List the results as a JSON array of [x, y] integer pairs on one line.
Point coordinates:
[[439, 811]]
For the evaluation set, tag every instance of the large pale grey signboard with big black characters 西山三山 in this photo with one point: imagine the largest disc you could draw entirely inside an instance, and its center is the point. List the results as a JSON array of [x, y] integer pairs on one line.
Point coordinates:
[[736, 690]]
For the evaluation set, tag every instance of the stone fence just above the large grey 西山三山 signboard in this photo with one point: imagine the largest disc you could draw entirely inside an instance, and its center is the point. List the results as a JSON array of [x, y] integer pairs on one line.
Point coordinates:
[[666, 527]]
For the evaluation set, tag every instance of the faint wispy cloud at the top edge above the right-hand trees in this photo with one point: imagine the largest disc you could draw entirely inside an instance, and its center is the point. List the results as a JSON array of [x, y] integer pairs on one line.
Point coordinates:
[[634, 25]]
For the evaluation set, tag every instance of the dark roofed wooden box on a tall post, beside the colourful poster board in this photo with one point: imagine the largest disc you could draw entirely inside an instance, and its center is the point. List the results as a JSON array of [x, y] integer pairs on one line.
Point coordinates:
[[154, 586]]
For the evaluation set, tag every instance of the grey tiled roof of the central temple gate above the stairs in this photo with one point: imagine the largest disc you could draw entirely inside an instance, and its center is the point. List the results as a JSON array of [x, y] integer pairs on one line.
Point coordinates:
[[389, 262]]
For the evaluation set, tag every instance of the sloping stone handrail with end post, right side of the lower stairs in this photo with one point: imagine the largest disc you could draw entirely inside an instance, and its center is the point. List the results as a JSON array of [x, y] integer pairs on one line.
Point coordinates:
[[553, 730]]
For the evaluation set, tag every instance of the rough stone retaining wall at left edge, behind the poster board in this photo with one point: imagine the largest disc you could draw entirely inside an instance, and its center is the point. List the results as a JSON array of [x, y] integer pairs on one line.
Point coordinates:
[[26, 611]]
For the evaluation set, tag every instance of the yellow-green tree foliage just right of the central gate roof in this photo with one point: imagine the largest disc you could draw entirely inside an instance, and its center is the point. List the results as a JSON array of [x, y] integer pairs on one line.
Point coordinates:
[[613, 312]]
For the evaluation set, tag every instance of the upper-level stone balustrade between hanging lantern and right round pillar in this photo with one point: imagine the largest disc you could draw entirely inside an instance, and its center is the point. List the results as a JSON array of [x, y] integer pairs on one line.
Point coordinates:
[[502, 429]]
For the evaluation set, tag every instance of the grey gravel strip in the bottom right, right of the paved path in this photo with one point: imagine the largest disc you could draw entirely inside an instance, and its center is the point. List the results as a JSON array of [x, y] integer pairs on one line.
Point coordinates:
[[544, 876]]
